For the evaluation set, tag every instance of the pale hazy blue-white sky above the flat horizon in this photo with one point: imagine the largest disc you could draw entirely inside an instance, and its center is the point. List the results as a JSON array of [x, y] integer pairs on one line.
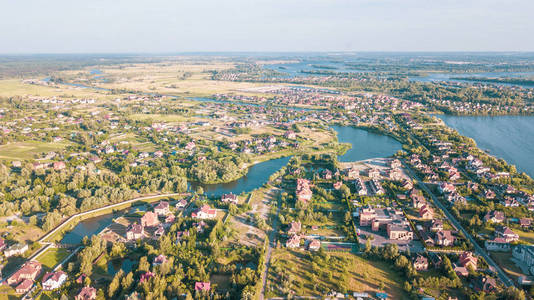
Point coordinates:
[[171, 26]]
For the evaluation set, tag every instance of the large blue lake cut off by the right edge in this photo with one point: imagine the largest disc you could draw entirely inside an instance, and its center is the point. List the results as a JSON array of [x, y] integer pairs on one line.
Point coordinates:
[[507, 137]]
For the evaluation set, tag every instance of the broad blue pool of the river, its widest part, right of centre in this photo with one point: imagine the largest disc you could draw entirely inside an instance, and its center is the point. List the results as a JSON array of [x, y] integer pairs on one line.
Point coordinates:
[[365, 144]]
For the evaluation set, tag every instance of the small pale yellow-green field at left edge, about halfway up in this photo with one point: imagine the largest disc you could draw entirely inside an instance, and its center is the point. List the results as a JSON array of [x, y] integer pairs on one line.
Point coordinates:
[[27, 150]]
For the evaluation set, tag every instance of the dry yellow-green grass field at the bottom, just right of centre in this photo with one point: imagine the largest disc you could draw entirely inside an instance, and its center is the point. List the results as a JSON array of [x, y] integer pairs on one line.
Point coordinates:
[[363, 275]]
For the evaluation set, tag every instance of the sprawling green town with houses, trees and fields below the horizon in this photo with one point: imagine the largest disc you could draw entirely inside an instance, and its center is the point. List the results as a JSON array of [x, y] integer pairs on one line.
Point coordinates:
[[260, 178]]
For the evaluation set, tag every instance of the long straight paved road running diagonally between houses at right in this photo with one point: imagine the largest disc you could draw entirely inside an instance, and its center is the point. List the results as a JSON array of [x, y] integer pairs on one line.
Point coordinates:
[[479, 250]]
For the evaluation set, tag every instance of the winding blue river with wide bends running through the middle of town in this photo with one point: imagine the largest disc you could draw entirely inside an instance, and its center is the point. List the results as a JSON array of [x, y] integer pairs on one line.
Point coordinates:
[[365, 145]]
